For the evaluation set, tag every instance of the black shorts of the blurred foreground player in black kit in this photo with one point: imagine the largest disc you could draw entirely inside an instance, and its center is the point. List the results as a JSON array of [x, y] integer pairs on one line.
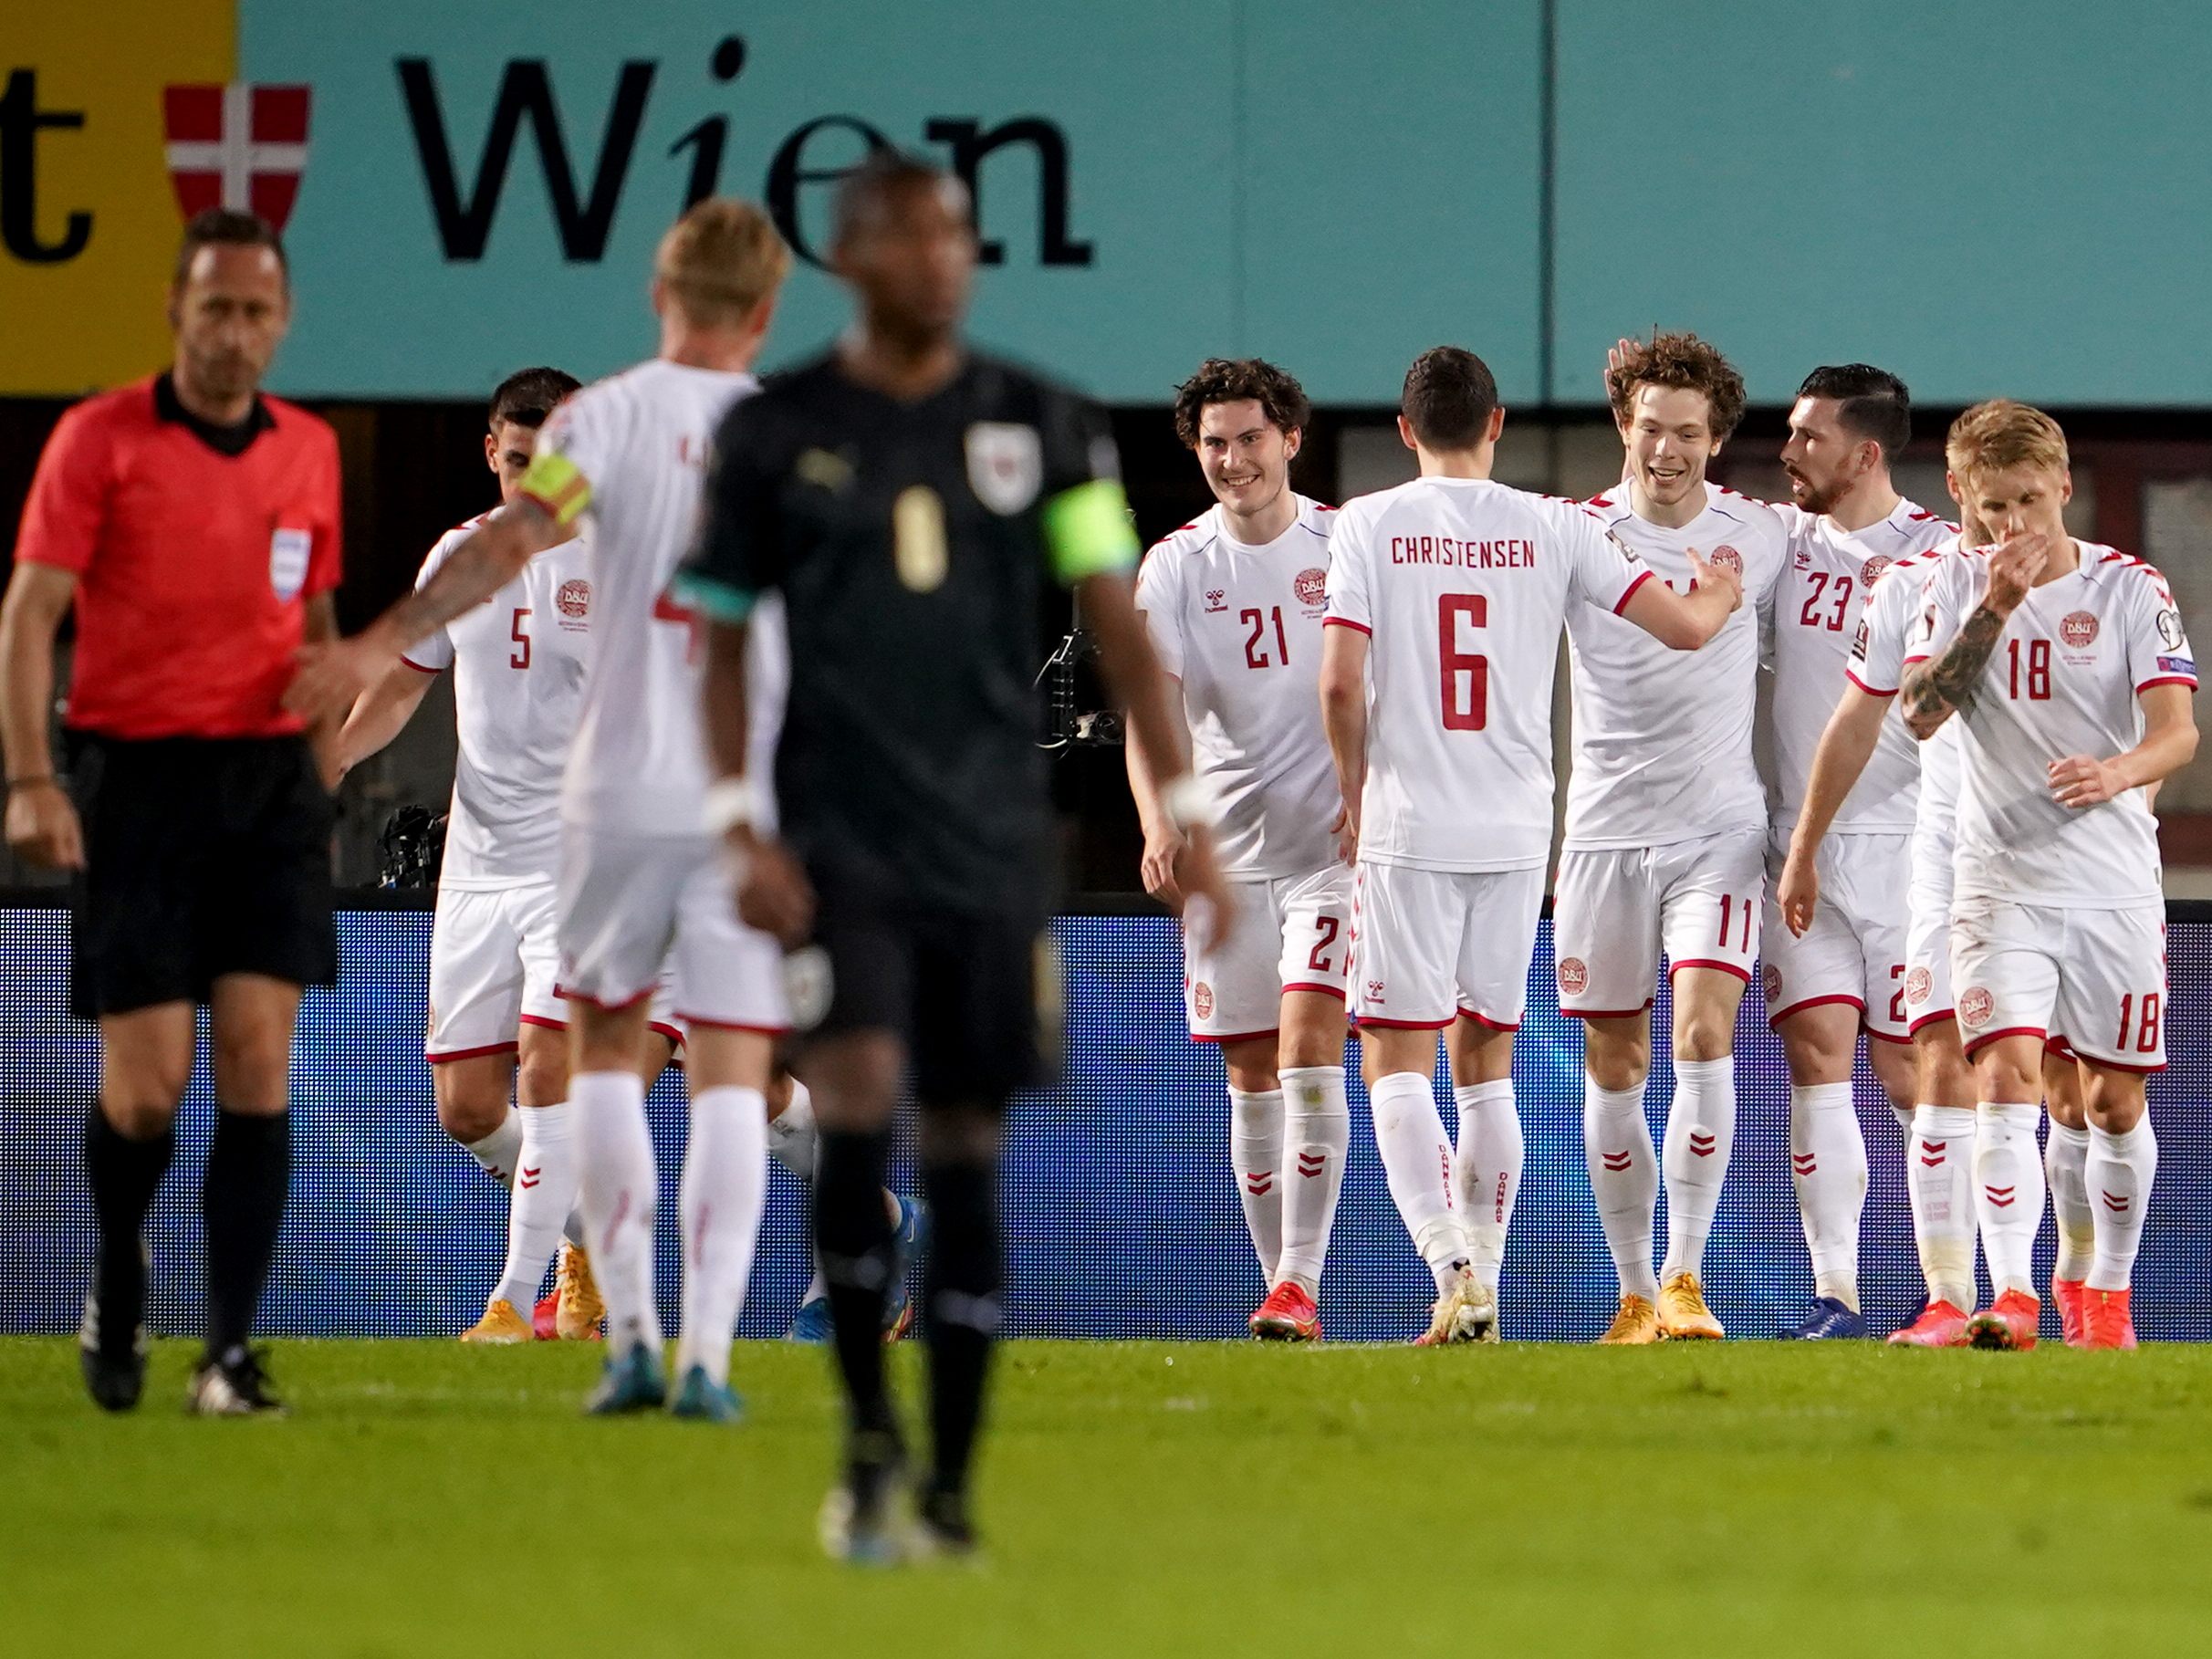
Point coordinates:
[[979, 999]]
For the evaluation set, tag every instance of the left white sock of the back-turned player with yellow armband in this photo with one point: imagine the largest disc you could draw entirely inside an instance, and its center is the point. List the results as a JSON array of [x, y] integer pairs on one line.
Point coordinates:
[[620, 1196]]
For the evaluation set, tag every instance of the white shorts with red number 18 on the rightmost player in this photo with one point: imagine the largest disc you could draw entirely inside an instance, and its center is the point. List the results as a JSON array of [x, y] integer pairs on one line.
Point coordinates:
[[2089, 979]]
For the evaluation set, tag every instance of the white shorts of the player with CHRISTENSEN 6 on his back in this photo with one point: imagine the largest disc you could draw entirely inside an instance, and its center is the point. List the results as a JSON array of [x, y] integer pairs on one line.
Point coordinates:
[[1432, 946]]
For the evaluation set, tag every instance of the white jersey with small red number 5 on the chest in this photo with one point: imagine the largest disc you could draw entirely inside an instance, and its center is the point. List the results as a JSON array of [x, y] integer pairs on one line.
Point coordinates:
[[519, 682]]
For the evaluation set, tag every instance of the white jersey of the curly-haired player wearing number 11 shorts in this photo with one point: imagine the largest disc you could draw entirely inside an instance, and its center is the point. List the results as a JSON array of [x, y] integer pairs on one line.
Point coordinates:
[[1665, 738]]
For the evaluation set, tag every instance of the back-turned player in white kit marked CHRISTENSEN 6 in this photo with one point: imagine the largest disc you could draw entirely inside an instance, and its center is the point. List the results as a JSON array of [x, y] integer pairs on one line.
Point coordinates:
[[1448, 598]]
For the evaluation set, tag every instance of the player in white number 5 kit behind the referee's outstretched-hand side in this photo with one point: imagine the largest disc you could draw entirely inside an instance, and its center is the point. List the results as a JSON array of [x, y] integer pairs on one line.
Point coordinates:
[[494, 1021]]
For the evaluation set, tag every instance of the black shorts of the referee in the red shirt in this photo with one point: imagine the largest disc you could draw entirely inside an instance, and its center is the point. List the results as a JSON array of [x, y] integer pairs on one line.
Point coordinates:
[[202, 857]]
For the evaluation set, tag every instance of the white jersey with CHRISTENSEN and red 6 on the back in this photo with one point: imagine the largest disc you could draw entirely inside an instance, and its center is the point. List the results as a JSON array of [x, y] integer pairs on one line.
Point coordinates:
[[1465, 587]]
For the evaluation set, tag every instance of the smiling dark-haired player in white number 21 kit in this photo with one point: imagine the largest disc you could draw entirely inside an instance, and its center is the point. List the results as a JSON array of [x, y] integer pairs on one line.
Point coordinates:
[[1233, 605]]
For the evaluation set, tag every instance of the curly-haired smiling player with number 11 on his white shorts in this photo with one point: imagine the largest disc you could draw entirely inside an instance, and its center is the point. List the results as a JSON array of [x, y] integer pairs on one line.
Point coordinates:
[[1665, 833]]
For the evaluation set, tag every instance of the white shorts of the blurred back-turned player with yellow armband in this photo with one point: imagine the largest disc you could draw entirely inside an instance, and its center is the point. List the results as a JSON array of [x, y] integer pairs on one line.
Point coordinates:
[[634, 908]]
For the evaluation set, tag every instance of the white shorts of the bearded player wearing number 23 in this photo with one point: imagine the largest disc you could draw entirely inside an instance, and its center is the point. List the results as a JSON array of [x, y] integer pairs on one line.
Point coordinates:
[[1855, 950]]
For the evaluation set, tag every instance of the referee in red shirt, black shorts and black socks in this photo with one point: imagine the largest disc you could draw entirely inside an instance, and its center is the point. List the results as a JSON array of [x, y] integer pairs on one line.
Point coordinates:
[[194, 525]]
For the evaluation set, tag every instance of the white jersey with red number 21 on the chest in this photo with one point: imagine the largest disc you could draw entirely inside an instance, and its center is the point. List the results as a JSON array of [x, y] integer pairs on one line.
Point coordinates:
[[1240, 627]]
